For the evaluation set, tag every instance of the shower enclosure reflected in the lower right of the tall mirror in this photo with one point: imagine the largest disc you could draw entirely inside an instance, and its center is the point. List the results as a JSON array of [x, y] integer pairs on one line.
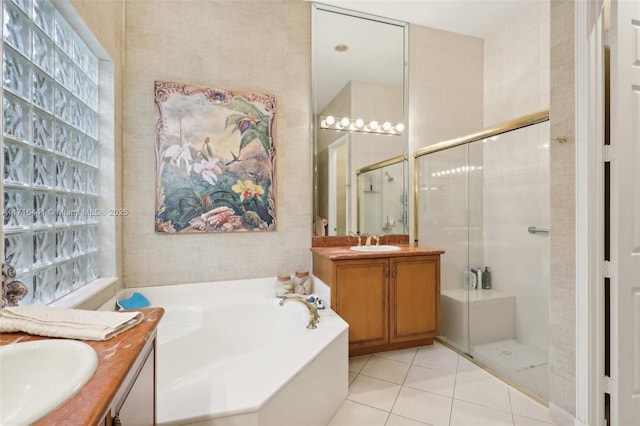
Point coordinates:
[[382, 203]]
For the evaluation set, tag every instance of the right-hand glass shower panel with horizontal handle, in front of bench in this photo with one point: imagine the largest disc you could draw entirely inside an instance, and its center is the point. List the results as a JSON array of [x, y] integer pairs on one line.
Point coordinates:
[[508, 326]]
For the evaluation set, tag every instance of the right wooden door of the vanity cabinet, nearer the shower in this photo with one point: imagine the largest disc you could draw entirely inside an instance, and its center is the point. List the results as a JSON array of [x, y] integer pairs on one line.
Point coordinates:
[[415, 298]]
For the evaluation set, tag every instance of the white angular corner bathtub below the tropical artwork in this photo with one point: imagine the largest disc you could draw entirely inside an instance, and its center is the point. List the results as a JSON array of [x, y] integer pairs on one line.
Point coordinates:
[[228, 354]]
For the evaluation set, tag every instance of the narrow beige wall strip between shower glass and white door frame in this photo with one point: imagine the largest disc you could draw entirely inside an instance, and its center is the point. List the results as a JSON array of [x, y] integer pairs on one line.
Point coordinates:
[[562, 238]]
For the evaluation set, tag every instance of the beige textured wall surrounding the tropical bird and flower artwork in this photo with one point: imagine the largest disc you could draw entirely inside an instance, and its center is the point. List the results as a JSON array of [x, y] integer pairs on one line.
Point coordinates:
[[256, 46]]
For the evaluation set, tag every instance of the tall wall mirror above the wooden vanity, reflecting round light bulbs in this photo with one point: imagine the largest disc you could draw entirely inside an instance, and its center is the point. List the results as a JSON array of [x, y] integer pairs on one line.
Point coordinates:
[[359, 105]]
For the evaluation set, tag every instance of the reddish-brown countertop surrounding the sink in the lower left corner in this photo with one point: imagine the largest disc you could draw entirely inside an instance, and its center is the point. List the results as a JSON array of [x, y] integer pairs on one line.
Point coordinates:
[[116, 357]]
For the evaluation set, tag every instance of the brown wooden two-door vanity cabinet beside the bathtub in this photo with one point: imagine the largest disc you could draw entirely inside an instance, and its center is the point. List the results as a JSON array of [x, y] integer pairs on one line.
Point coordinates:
[[389, 302]]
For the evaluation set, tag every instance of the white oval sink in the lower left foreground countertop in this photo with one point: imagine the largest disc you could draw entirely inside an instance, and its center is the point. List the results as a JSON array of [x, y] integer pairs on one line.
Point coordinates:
[[37, 376]]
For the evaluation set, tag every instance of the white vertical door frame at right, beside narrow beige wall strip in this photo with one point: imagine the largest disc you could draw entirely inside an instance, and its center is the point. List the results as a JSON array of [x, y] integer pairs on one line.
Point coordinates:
[[590, 265]]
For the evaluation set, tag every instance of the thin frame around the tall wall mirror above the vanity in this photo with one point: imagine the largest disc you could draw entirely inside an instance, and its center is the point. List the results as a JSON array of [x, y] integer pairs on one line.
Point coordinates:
[[315, 8]]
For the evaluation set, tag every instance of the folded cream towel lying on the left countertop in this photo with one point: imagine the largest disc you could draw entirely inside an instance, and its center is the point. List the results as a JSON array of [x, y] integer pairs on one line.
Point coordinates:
[[68, 323]]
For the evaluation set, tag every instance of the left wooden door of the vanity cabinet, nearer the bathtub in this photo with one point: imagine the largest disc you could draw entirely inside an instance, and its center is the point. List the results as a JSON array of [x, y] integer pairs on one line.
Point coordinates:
[[362, 291]]
